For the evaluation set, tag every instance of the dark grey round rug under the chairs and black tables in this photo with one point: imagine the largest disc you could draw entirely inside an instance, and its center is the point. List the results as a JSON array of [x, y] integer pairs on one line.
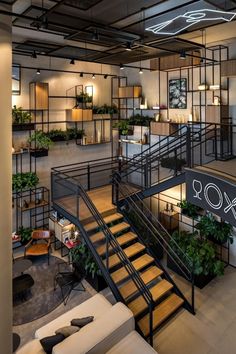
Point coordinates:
[[42, 298]]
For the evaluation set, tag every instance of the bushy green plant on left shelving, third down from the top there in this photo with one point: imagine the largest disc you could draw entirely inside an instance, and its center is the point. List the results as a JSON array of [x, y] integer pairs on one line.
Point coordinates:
[[24, 181]]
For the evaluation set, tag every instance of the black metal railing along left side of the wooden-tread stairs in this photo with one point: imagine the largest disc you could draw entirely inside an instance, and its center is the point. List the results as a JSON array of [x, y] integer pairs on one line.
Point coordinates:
[[68, 190]]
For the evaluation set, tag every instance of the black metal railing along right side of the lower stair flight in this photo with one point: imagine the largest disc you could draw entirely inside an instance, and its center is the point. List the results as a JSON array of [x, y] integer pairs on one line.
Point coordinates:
[[154, 234]]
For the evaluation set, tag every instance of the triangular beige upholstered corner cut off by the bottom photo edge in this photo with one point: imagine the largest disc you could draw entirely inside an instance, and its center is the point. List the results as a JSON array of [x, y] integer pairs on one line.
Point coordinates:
[[133, 343]]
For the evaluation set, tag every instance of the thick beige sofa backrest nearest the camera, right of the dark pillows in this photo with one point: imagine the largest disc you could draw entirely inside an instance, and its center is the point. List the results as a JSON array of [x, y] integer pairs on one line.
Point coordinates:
[[100, 335]]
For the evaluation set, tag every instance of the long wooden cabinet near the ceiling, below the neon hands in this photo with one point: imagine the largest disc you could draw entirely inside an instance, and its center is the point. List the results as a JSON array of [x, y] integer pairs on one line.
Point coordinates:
[[173, 61]]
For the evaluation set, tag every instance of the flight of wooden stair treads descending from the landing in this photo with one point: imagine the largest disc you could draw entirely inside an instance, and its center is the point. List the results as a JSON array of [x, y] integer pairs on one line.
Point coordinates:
[[166, 301]]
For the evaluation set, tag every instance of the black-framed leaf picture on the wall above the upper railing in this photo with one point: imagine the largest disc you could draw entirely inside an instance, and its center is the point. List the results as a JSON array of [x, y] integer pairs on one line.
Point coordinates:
[[178, 93]]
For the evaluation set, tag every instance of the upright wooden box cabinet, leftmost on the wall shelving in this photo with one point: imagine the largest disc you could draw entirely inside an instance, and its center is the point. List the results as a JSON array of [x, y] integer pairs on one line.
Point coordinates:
[[39, 92]]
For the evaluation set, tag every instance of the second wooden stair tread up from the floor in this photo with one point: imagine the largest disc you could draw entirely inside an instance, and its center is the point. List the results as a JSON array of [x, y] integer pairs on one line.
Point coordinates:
[[139, 305]]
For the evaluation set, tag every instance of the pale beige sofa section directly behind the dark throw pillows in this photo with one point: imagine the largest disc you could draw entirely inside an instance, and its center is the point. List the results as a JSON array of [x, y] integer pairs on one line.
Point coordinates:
[[95, 306]]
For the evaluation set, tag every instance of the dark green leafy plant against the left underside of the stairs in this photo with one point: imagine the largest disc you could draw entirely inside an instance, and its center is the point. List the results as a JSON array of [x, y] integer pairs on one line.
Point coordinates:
[[82, 255]]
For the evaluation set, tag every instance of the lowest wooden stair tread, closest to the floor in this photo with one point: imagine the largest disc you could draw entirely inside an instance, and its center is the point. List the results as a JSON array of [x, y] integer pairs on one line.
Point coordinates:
[[161, 313]]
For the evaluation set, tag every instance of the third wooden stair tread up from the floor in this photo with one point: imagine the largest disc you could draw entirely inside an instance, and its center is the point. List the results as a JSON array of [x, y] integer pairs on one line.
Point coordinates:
[[147, 276]]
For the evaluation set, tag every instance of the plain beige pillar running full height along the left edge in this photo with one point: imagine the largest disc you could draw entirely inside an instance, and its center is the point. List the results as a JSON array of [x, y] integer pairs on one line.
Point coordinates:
[[5, 183]]
